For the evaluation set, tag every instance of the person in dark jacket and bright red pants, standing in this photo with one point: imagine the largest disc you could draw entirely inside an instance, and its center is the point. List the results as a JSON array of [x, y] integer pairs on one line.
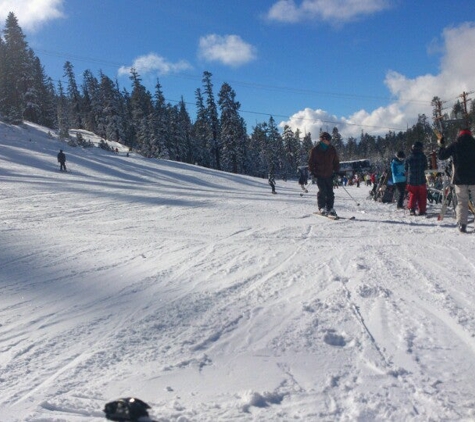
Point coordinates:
[[416, 165]]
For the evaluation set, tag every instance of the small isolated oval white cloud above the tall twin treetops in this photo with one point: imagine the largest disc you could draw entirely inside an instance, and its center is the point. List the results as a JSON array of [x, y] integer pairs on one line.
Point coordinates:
[[230, 50]]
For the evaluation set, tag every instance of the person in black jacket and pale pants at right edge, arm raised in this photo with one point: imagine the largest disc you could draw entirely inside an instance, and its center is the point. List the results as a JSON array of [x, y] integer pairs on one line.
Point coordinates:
[[462, 151]]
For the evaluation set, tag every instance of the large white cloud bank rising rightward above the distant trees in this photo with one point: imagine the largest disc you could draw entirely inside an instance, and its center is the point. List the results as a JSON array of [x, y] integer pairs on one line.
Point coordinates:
[[412, 96]]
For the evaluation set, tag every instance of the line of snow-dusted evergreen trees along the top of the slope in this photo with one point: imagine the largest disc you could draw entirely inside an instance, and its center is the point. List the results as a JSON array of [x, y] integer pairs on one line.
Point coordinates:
[[216, 138]]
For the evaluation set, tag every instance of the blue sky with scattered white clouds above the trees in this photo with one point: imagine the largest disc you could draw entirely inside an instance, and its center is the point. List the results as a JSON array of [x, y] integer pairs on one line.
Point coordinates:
[[360, 65]]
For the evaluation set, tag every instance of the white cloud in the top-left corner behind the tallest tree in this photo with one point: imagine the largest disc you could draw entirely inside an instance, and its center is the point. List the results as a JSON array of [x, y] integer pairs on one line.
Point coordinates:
[[32, 14]]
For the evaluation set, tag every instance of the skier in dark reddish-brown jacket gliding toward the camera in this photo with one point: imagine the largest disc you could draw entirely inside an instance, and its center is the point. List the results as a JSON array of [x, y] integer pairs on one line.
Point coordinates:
[[323, 164]]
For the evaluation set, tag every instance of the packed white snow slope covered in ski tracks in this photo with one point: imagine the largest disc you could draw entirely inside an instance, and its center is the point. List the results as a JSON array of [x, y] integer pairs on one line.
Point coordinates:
[[211, 299]]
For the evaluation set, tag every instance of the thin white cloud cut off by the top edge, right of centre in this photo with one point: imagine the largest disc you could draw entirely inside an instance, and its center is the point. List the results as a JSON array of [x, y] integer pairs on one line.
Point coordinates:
[[335, 11]]
